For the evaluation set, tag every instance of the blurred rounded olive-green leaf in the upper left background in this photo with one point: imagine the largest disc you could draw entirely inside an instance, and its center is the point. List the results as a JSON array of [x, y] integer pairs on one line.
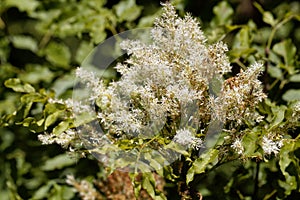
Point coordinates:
[[58, 54]]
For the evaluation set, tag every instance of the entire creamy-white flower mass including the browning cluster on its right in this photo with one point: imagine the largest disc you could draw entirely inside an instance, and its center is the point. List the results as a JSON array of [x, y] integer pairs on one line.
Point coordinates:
[[162, 81]]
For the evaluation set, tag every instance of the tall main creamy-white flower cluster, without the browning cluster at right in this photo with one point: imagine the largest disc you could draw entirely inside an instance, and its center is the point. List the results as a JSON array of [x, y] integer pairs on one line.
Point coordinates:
[[162, 80]]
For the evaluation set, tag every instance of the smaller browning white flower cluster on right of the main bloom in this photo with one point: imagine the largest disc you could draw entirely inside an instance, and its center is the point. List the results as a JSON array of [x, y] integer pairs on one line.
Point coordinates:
[[239, 96]]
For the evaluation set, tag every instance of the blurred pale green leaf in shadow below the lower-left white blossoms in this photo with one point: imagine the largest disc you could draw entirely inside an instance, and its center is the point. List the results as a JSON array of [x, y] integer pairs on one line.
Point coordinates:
[[58, 162]]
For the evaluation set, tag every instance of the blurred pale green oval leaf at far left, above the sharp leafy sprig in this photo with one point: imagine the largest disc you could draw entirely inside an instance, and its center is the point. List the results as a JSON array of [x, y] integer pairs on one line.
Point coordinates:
[[24, 42]]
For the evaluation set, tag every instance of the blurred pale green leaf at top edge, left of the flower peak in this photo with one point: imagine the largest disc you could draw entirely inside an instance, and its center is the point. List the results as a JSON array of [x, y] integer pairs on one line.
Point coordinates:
[[127, 10]]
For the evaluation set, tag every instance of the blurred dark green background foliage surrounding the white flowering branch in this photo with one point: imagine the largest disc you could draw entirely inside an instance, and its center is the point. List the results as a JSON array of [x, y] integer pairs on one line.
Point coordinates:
[[42, 43]]
